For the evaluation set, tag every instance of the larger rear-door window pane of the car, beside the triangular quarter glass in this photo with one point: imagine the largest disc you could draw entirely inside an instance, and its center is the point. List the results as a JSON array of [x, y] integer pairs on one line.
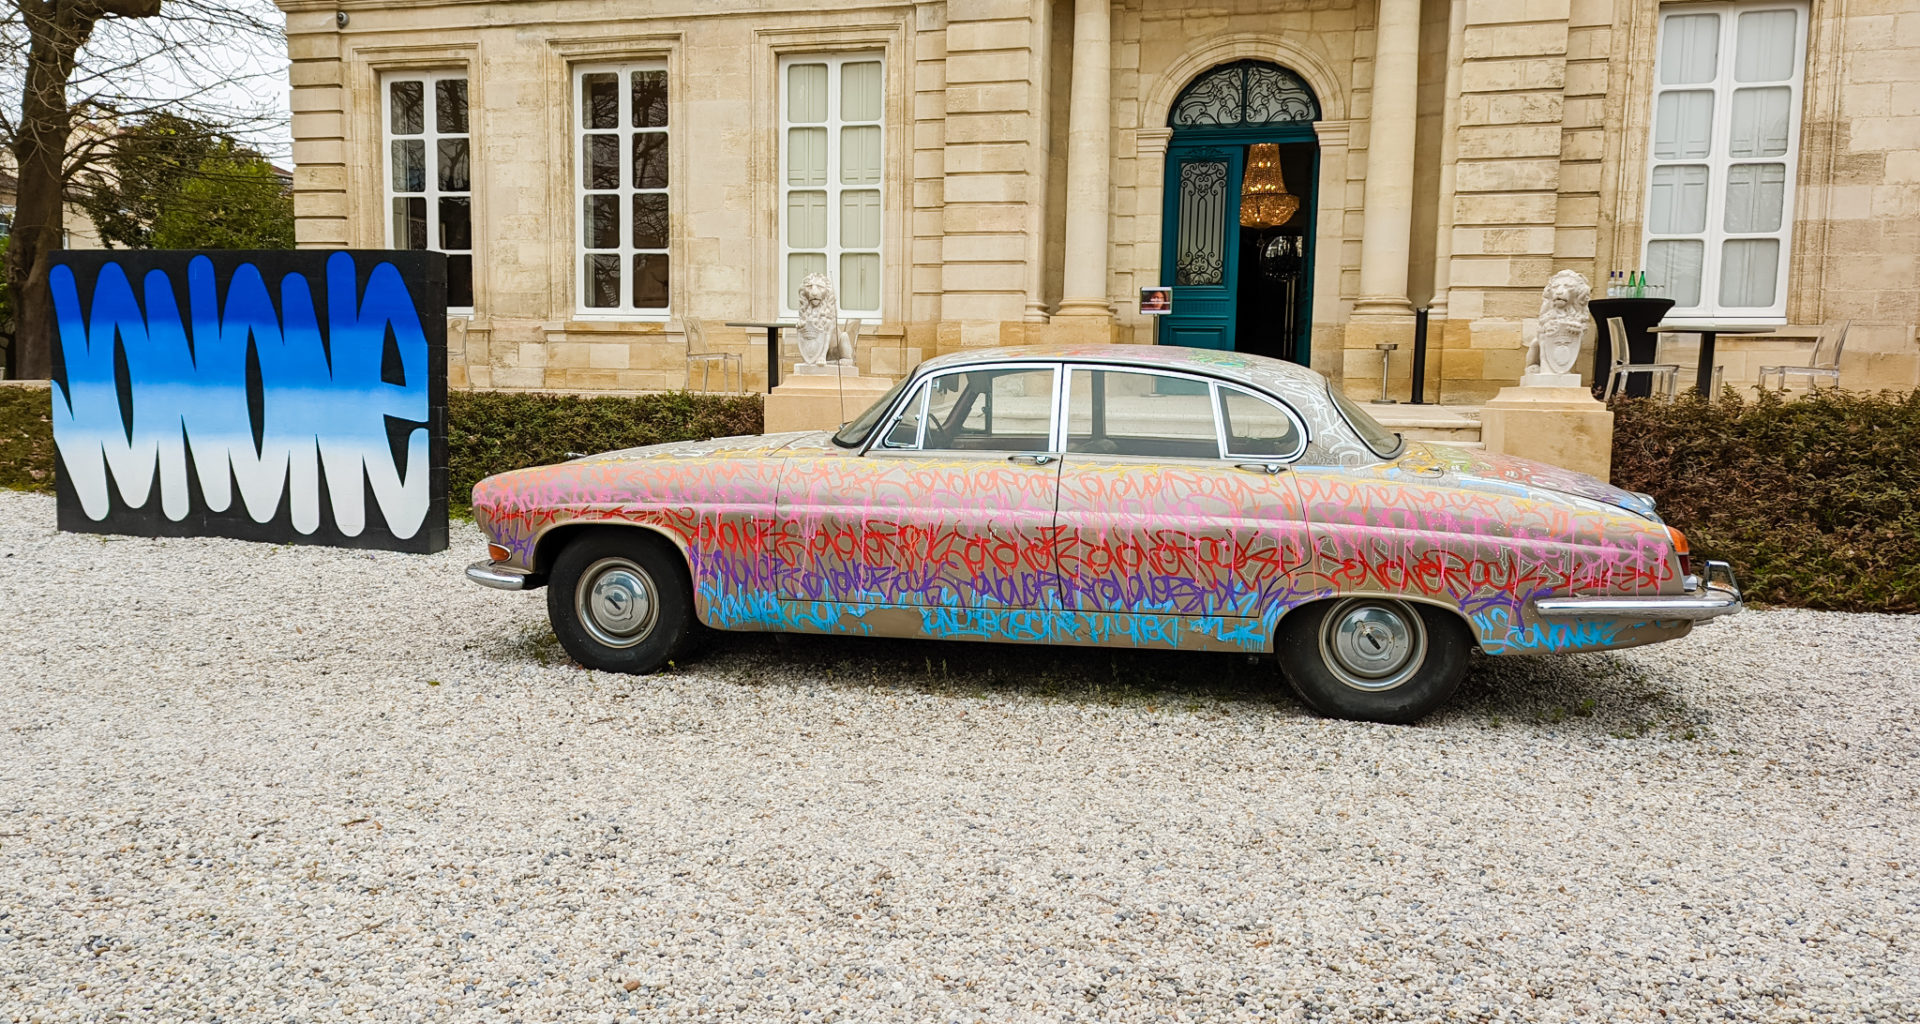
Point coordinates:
[[1115, 412]]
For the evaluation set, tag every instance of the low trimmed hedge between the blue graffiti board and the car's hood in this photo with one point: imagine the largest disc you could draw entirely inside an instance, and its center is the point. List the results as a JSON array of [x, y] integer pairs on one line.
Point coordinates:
[[498, 431]]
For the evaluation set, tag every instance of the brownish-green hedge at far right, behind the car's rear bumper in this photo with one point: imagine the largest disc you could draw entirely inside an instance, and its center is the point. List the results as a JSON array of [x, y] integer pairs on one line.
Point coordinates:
[[1815, 502]]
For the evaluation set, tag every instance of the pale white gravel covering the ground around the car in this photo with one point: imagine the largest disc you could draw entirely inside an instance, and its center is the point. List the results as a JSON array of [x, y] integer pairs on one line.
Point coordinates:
[[251, 783]]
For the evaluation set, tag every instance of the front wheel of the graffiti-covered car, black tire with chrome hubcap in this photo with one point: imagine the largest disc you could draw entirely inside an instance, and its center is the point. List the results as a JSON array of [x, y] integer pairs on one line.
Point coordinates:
[[621, 602]]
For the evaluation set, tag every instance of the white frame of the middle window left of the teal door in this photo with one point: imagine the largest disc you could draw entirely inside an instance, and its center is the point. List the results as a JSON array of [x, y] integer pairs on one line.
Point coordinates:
[[627, 191]]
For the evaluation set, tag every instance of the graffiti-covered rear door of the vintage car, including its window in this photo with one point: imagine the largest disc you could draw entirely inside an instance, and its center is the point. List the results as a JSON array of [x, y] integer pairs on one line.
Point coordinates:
[[1176, 502]]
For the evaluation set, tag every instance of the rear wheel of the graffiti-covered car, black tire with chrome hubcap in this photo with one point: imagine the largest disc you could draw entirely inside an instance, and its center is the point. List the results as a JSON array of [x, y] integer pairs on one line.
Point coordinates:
[[1374, 660]]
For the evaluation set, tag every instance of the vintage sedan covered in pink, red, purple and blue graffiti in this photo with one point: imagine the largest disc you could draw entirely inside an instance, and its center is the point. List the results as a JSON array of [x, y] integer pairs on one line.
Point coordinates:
[[1124, 497]]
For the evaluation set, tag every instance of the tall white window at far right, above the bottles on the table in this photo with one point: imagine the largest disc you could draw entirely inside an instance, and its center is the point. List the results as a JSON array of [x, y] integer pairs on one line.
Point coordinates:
[[1727, 118]]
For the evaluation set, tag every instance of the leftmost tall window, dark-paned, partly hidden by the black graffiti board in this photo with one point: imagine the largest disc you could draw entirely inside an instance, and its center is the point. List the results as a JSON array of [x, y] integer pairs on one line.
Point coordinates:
[[429, 176]]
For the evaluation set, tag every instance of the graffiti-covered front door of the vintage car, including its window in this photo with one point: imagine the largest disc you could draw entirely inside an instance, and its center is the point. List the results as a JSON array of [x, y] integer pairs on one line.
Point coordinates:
[[951, 506]]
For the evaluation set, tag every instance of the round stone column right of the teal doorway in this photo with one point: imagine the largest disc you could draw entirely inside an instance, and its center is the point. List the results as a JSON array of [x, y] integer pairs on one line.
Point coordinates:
[[1389, 214]]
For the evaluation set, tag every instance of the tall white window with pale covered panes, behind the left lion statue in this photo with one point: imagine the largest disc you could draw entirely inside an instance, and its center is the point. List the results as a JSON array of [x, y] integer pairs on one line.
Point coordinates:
[[830, 158]]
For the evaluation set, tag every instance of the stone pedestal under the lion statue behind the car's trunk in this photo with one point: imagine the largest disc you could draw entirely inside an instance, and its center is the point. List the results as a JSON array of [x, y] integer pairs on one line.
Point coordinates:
[[1556, 426]]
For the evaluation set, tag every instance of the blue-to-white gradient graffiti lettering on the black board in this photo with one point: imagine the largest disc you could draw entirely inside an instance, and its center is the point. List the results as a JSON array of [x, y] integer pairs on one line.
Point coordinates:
[[324, 412]]
